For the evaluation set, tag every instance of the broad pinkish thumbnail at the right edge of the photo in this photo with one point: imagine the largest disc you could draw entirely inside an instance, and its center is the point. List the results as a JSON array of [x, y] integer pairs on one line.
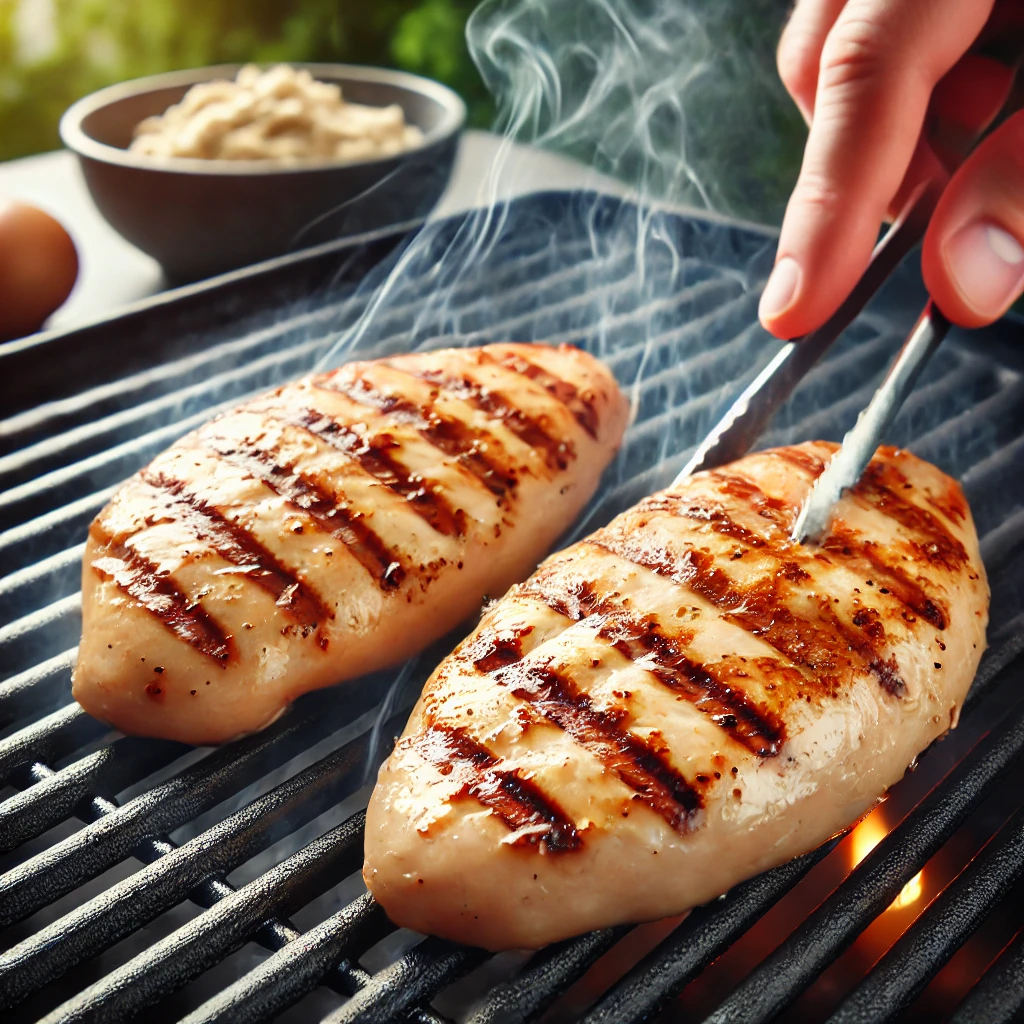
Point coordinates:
[[988, 267]]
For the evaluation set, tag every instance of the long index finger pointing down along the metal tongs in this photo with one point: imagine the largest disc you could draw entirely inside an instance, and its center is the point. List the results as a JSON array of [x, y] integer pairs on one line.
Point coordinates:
[[873, 95]]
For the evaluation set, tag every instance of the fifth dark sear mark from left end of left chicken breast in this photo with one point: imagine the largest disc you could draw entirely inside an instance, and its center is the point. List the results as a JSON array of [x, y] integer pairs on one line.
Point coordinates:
[[460, 441]]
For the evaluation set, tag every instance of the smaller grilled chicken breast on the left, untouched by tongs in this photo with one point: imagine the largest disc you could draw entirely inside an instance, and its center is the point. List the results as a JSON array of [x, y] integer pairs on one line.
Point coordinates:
[[332, 528]]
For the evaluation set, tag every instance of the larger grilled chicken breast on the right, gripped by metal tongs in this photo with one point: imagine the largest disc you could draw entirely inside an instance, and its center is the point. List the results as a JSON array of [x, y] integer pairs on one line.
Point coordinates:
[[680, 702]]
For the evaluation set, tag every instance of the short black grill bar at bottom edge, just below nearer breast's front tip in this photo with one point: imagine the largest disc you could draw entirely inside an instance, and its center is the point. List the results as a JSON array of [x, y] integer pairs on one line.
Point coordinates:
[[416, 978]]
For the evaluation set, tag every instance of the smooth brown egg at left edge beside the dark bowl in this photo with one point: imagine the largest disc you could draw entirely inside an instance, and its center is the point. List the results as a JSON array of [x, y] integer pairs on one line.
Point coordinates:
[[38, 268]]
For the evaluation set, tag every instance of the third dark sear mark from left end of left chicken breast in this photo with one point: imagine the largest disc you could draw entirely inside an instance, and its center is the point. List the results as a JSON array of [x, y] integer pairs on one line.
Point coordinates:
[[306, 494]]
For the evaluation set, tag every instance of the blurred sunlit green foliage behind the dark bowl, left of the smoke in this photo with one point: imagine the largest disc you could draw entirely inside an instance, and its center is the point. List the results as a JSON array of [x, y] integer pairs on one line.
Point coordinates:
[[54, 52]]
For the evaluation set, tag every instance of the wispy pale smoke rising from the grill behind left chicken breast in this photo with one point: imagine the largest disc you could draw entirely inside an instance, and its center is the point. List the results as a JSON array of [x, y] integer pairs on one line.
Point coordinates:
[[672, 103]]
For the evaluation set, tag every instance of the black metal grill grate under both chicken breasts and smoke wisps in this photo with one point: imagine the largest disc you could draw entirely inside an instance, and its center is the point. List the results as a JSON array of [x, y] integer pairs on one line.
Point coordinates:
[[270, 829]]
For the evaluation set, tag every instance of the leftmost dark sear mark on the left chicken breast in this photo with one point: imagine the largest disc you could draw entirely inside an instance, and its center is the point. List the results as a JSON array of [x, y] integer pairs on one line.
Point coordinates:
[[157, 591]]
